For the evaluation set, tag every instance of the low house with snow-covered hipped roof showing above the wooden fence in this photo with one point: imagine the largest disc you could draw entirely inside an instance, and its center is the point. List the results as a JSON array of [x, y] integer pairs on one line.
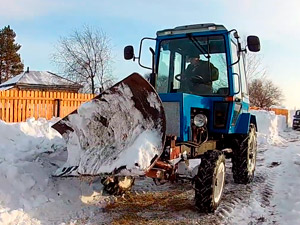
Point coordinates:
[[40, 81]]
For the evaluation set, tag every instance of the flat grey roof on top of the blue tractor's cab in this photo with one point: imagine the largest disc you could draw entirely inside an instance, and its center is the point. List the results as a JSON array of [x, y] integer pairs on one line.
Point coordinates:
[[191, 29]]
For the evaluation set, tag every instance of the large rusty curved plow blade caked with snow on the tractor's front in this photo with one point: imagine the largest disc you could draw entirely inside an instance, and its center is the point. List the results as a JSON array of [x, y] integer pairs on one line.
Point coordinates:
[[118, 132]]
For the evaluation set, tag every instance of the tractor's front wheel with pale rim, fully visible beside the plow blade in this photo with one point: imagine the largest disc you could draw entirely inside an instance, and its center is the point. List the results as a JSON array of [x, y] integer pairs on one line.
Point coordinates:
[[210, 180]]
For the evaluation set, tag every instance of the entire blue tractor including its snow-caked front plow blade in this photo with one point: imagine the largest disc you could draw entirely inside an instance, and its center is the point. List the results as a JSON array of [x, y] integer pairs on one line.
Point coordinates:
[[196, 102]]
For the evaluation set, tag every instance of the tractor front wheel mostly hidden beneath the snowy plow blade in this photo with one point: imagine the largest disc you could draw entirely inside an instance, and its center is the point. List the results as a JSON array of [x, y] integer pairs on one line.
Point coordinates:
[[117, 185]]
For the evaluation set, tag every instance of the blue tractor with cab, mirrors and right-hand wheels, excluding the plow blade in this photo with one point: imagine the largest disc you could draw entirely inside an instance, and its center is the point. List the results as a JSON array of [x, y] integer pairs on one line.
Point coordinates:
[[199, 74]]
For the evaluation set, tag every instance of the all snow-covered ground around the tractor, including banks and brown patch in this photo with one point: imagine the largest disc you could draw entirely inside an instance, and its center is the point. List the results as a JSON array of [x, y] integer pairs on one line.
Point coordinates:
[[31, 152]]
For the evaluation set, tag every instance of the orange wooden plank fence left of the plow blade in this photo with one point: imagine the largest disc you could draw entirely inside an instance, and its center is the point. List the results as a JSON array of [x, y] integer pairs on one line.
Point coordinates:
[[18, 105]]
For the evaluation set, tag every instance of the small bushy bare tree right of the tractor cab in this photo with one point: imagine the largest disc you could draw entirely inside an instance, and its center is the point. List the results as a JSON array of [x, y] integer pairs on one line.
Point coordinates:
[[264, 93]]
